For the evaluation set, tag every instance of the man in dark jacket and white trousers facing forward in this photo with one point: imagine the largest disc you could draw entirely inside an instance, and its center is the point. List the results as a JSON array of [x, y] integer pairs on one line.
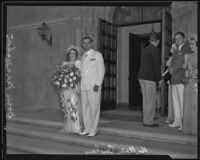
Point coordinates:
[[177, 76]]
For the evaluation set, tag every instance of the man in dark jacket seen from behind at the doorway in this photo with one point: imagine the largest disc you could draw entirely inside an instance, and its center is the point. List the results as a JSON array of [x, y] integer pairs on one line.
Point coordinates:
[[150, 77]]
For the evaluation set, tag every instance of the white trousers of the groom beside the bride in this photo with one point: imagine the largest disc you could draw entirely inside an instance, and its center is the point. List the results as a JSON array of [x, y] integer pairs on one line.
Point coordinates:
[[91, 109]]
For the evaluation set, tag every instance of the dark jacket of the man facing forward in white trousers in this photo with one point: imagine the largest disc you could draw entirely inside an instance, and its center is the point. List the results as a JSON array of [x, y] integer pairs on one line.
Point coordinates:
[[178, 74]]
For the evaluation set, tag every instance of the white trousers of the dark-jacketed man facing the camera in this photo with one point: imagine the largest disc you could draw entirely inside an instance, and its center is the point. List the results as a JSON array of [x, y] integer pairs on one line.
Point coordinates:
[[177, 96]]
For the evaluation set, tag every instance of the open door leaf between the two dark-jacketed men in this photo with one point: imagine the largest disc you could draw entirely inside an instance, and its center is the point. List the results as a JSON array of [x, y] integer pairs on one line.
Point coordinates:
[[166, 45]]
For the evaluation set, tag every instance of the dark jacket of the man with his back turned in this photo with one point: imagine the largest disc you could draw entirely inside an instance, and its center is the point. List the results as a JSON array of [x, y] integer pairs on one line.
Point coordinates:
[[150, 64]]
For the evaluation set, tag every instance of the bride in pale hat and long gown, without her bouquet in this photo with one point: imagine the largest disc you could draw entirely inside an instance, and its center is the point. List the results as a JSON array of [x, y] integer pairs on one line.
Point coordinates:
[[70, 97]]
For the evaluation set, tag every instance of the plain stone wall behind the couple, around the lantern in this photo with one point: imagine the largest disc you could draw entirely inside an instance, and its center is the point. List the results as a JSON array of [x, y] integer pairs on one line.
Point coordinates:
[[34, 60]]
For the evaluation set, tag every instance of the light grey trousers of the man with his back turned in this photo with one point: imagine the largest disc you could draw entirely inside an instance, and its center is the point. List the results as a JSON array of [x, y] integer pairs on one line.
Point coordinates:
[[149, 100]]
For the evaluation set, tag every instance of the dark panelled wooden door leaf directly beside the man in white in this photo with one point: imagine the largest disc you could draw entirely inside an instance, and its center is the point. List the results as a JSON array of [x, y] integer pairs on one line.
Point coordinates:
[[108, 48]]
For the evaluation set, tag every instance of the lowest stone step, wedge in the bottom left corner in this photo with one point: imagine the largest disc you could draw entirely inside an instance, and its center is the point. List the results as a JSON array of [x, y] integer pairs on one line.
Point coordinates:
[[35, 145]]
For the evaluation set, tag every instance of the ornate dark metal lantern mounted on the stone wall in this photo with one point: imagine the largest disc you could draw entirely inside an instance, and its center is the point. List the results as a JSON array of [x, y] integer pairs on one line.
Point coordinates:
[[44, 32]]
